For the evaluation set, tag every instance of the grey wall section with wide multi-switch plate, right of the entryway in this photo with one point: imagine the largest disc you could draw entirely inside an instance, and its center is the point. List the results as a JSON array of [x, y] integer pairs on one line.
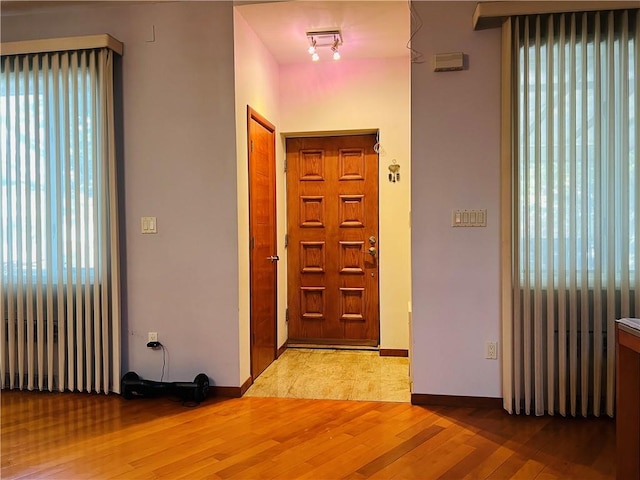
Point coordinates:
[[455, 150]]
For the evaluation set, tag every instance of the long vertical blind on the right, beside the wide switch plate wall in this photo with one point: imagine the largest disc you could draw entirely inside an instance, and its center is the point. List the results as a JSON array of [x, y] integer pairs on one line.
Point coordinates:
[[576, 206]]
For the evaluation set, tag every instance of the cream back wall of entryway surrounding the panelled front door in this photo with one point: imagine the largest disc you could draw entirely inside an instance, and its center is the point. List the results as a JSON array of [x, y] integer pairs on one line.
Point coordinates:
[[358, 95]]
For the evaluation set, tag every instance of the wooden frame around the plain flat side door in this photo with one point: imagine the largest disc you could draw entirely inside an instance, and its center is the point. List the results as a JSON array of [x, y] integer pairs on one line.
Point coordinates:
[[253, 115]]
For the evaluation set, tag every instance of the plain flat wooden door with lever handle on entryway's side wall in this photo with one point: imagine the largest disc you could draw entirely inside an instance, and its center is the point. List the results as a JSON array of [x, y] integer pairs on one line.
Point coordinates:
[[263, 246]]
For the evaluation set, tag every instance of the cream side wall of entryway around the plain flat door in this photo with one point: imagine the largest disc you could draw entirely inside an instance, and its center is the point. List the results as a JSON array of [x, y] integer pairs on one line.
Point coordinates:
[[257, 79]]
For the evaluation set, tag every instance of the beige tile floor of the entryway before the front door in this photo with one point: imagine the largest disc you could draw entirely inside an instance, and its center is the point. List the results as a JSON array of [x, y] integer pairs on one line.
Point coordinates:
[[335, 375]]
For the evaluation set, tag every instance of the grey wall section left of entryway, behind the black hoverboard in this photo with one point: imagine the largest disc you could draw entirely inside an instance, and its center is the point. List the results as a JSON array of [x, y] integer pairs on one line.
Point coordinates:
[[180, 166]]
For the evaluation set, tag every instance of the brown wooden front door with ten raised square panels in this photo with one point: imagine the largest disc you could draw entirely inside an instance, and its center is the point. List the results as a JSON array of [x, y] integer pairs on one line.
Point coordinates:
[[332, 209]]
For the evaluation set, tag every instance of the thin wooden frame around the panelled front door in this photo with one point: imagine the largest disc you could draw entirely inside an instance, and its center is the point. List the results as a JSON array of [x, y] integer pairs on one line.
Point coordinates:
[[285, 136]]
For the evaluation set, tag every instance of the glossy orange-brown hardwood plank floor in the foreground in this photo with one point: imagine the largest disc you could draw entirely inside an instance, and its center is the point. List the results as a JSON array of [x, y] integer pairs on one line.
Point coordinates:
[[70, 436]]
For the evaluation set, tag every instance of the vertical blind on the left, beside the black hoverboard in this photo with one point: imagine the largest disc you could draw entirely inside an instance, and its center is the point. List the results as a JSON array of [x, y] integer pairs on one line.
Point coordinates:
[[60, 299]]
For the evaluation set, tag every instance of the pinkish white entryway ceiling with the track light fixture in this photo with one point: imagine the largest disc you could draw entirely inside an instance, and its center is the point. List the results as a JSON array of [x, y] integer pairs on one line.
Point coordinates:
[[370, 29]]
